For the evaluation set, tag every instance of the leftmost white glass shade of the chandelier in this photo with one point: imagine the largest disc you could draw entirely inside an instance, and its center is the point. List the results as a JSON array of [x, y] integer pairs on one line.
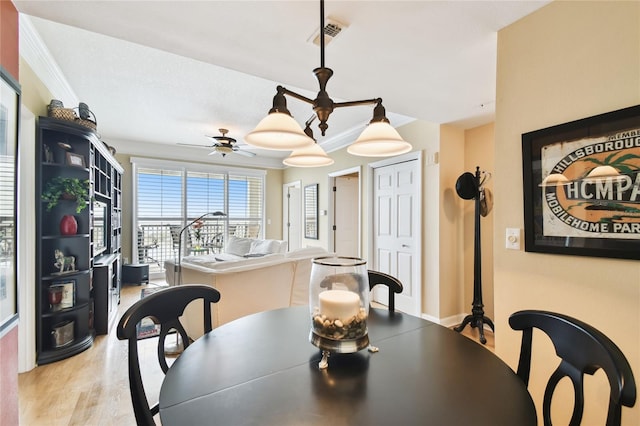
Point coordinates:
[[278, 131]]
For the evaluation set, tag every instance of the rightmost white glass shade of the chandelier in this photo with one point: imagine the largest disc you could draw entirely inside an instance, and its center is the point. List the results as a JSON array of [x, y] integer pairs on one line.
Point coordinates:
[[379, 139]]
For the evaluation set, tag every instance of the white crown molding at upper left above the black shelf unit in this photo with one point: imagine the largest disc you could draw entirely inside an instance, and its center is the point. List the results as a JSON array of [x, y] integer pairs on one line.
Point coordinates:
[[35, 52]]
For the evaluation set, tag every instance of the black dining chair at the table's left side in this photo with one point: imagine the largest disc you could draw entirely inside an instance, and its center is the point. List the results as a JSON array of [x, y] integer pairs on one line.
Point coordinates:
[[164, 307]]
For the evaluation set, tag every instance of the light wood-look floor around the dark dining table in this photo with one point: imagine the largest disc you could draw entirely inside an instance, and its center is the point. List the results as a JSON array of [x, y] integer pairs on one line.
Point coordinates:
[[92, 388]]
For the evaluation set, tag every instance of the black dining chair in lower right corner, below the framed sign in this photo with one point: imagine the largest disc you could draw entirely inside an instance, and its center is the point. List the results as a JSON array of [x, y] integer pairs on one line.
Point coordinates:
[[582, 349]]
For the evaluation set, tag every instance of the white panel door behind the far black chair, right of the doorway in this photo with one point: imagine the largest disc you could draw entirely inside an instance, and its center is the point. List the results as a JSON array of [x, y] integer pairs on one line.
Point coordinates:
[[397, 231]]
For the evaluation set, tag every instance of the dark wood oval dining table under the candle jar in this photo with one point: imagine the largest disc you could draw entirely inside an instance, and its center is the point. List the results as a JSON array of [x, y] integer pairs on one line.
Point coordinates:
[[262, 370]]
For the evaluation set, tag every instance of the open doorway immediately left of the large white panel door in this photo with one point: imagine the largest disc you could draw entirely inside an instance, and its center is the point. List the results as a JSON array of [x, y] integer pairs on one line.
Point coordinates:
[[344, 208]]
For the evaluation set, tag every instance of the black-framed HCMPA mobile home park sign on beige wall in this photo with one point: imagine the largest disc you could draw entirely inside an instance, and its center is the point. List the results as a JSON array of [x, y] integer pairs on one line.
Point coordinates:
[[582, 186]]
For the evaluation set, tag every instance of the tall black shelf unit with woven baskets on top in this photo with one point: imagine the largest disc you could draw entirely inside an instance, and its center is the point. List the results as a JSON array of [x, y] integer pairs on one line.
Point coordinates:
[[89, 161]]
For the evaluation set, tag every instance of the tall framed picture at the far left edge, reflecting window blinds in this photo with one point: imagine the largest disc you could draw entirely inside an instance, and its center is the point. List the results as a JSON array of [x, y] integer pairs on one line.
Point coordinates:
[[9, 129]]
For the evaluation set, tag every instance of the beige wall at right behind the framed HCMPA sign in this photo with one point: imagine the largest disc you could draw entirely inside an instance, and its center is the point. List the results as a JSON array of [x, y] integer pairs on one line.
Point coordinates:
[[567, 61]]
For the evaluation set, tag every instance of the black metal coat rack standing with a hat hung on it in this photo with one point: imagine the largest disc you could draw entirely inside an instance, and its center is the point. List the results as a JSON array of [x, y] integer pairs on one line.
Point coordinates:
[[469, 186]]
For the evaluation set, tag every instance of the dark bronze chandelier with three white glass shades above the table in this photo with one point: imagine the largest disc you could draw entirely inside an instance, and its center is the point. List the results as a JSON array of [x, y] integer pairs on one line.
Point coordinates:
[[279, 131]]
